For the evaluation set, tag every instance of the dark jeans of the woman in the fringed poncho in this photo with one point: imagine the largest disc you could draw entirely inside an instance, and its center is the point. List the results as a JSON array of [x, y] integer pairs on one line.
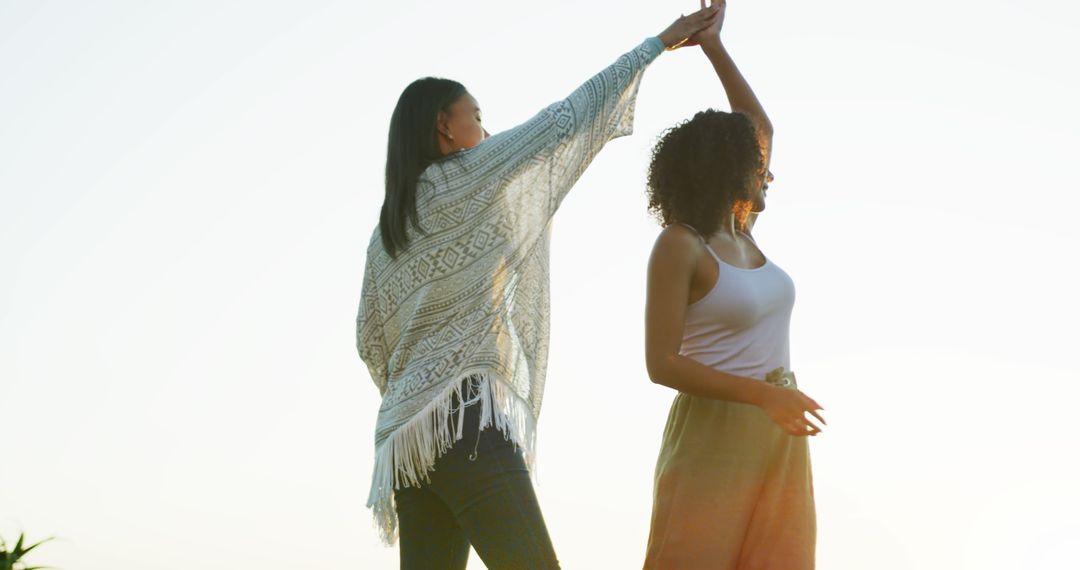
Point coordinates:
[[481, 495]]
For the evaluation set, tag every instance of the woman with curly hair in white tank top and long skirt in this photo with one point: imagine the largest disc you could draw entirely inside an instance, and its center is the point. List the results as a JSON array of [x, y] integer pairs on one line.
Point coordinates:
[[733, 486]]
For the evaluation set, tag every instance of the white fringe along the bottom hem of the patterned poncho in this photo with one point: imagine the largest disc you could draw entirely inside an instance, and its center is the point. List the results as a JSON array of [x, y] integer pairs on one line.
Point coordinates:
[[406, 458]]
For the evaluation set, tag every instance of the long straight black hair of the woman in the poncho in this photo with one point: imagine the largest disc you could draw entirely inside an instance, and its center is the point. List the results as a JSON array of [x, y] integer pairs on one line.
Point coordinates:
[[413, 146]]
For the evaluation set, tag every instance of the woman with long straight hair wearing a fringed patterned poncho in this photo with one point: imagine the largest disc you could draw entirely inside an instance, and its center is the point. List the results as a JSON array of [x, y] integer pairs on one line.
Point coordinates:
[[453, 321]]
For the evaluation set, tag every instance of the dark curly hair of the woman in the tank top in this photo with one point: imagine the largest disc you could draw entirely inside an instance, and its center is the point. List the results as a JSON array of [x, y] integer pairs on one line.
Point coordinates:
[[704, 170]]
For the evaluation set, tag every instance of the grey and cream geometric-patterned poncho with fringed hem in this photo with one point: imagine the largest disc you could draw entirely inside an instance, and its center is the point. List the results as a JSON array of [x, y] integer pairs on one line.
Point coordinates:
[[470, 298]]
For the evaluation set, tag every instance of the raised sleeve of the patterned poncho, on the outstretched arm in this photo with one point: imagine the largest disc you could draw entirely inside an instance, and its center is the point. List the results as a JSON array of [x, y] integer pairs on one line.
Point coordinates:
[[536, 164]]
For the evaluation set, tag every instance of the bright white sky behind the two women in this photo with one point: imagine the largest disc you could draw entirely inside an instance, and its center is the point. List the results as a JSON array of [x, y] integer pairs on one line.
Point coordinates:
[[188, 188]]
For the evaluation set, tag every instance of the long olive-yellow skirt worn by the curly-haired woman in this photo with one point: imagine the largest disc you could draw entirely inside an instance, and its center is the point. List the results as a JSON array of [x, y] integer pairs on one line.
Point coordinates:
[[733, 492]]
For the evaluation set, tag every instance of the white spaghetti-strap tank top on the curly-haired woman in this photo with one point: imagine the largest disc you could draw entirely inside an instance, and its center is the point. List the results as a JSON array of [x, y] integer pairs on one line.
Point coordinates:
[[741, 327]]
